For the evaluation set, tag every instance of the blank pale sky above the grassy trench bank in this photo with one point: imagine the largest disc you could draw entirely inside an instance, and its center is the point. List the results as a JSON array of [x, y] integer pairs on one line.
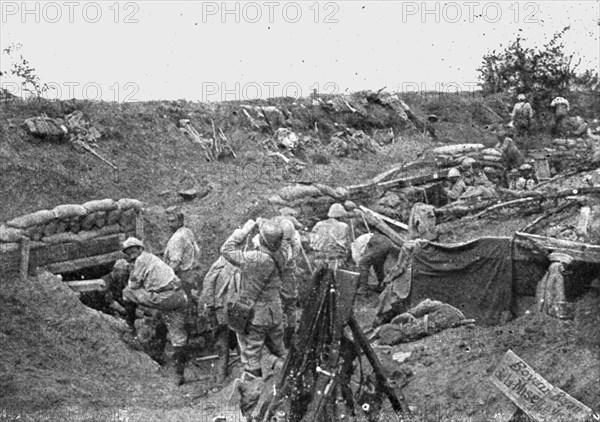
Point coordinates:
[[214, 50]]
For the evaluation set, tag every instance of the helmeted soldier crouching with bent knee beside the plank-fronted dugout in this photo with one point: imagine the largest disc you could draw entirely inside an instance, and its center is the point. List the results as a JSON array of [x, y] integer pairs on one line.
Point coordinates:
[[153, 284]]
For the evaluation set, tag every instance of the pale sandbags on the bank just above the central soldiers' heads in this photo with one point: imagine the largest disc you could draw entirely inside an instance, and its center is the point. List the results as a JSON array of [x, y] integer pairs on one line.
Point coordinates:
[[310, 201]]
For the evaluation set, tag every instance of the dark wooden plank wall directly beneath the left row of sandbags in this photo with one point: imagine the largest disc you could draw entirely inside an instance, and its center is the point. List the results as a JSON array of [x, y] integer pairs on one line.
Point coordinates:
[[49, 254]]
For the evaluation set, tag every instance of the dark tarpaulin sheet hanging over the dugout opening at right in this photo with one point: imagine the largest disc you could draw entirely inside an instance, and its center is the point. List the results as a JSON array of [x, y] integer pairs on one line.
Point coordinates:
[[475, 277]]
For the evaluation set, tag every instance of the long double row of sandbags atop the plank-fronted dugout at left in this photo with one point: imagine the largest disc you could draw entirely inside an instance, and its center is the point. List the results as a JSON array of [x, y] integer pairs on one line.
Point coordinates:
[[74, 222]]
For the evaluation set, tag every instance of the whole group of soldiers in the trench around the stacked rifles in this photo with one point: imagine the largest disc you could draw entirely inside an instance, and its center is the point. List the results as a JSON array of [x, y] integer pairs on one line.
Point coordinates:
[[258, 265]]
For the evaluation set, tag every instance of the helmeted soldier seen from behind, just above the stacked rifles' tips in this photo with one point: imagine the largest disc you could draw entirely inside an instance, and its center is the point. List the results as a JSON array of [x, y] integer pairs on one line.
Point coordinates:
[[330, 239]]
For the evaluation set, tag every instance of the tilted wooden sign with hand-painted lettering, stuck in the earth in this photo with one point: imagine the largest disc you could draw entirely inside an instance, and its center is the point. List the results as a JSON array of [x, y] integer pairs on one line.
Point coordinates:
[[534, 395]]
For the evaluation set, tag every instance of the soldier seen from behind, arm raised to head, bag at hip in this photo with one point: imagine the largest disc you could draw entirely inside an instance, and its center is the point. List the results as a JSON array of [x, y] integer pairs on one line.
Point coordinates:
[[261, 274]]
